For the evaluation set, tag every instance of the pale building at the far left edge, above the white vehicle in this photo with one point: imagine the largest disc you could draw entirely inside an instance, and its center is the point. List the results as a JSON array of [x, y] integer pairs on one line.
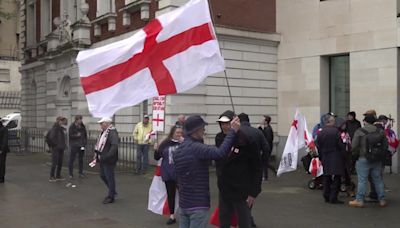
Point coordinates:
[[10, 78]]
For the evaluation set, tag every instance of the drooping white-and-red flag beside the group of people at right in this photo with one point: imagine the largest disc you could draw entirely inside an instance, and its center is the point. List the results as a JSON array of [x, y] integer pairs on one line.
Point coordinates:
[[298, 137]]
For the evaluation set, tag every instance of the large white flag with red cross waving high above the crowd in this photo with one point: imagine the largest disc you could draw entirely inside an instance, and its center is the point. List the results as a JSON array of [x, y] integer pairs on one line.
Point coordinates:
[[173, 53]]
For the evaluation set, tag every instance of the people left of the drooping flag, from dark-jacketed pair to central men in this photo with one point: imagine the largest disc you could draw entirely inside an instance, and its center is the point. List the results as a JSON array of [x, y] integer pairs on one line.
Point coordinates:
[[241, 154]]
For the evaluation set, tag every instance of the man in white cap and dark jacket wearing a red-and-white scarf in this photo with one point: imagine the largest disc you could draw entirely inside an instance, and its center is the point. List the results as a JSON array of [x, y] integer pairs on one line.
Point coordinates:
[[107, 154]]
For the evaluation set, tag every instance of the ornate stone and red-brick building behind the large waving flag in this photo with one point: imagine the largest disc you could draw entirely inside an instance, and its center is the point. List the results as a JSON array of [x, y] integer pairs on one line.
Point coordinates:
[[56, 30]]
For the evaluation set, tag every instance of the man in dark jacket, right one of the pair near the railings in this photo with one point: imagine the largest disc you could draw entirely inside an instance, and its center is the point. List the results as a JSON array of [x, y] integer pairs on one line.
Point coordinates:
[[77, 142]]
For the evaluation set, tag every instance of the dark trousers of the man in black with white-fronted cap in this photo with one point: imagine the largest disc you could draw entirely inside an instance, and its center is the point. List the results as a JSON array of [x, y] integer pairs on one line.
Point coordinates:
[[228, 207]]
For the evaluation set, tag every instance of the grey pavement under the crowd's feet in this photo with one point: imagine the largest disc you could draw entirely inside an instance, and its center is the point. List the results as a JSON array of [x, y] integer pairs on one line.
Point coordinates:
[[28, 199]]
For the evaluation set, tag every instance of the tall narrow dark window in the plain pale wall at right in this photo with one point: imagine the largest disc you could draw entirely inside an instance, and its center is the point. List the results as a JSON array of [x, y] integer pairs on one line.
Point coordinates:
[[339, 81]]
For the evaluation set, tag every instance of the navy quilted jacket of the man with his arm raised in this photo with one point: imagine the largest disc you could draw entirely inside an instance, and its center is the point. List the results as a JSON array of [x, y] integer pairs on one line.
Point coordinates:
[[191, 166]]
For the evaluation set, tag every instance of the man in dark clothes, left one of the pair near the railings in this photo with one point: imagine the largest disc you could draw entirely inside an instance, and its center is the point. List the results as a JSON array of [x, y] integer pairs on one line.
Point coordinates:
[[57, 143]]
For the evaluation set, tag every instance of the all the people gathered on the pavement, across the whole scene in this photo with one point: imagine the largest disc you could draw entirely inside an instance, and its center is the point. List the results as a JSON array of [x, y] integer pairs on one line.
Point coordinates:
[[241, 155]]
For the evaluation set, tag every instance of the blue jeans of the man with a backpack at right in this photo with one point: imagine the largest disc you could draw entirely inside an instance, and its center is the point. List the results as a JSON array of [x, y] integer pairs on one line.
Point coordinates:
[[363, 168]]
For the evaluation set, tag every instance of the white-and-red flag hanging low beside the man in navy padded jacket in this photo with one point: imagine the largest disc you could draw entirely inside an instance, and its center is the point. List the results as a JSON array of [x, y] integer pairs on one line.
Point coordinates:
[[158, 201]]
